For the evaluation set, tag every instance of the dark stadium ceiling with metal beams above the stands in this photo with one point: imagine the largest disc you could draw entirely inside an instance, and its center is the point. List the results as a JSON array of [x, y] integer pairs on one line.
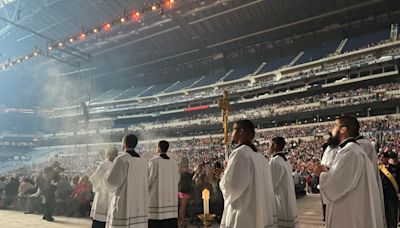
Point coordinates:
[[189, 30]]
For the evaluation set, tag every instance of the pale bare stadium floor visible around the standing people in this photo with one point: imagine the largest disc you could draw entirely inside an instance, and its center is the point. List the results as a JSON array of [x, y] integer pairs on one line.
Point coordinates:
[[309, 208]]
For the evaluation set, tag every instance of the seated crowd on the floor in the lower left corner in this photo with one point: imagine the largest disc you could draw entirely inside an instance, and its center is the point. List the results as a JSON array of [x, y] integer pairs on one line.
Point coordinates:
[[72, 195]]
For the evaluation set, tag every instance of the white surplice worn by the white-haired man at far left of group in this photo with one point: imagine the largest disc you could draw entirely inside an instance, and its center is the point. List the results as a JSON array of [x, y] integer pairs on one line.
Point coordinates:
[[102, 197]]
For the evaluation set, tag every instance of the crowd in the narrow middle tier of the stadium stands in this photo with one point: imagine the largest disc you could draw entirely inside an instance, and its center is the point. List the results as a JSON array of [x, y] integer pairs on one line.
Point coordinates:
[[310, 103]]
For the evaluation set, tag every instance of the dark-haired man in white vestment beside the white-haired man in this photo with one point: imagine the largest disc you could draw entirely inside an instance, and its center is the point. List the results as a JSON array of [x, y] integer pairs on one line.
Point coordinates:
[[128, 179]]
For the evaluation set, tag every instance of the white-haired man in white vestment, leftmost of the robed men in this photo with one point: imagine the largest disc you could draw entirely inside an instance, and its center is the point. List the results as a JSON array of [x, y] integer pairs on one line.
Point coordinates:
[[102, 197]]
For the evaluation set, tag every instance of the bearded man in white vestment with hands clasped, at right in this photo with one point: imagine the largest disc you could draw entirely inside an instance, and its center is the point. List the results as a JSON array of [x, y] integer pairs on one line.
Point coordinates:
[[350, 185]]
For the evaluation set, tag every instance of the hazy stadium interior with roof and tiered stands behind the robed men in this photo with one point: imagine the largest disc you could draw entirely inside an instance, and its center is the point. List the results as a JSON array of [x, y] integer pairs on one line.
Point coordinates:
[[76, 76]]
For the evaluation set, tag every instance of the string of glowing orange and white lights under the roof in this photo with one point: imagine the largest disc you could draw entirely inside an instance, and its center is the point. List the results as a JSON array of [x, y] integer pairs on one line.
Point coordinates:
[[128, 17]]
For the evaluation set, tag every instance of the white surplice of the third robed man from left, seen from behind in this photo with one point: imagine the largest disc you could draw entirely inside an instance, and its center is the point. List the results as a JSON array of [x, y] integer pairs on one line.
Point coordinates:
[[163, 188]]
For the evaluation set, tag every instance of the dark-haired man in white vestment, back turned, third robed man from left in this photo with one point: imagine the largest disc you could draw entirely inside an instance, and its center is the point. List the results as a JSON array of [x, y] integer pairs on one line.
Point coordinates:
[[163, 189]]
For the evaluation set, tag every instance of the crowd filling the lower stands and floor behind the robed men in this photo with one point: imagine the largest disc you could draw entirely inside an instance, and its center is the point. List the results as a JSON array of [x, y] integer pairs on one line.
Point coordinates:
[[74, 193]]
